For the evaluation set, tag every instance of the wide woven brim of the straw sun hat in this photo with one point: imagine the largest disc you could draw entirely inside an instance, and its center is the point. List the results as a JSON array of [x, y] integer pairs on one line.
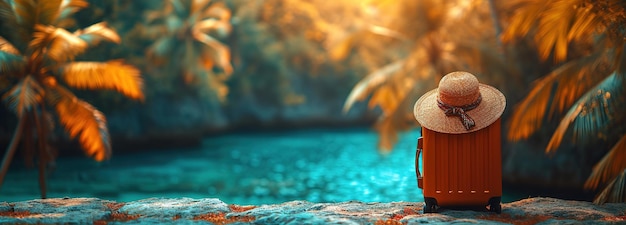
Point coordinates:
[[430, 116]]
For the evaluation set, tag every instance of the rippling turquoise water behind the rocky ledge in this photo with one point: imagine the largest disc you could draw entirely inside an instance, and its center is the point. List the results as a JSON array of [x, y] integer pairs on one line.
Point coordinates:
[[318, 165]]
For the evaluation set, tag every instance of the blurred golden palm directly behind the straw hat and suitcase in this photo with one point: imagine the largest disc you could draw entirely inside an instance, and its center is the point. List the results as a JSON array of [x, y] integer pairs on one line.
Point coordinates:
[[438, 44]]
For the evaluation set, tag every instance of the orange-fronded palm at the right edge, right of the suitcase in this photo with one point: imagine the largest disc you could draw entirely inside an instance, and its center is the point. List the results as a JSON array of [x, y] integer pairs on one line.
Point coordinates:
[[588, 37]]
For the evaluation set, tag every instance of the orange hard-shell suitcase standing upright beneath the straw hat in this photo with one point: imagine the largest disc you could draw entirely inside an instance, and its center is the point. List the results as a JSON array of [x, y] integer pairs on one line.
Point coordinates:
[[460, 169]]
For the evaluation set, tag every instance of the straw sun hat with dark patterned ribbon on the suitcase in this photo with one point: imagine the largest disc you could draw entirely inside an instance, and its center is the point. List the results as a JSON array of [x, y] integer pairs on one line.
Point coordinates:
[[459, 105]]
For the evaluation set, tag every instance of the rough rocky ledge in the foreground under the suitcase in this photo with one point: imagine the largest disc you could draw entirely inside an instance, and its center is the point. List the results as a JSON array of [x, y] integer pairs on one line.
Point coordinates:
[[214, 211]]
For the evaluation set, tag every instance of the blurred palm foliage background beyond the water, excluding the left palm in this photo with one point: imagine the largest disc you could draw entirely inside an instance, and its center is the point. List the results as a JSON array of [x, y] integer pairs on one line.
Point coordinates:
[[221, 65]]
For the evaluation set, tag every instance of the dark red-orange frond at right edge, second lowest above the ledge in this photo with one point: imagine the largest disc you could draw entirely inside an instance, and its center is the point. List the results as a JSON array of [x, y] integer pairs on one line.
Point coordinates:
[[610, 166]]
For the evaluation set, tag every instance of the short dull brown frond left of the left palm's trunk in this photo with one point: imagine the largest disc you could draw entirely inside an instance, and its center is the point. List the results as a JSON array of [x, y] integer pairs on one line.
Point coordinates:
[[24, 96]]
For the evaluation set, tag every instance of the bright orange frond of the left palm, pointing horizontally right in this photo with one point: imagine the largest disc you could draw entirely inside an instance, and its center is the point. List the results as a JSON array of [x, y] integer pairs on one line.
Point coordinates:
[[112, 75]]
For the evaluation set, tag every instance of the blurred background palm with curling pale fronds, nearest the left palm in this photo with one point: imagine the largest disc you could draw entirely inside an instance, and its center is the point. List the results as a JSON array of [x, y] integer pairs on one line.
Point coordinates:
[[187, 34]]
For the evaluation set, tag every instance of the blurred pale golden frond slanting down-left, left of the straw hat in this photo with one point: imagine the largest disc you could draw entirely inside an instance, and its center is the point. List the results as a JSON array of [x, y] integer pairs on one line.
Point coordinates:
[[372, 81]]
